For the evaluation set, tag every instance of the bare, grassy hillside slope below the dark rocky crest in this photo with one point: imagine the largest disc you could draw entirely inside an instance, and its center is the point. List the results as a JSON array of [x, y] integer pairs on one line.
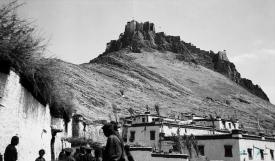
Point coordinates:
[[153, 77]]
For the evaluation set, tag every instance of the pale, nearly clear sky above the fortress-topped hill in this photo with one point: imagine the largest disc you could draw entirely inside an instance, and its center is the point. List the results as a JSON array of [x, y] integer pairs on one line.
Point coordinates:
[[79, 29]]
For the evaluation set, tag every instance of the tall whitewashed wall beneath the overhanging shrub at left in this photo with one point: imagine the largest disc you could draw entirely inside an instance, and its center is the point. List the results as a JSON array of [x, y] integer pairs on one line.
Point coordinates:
[[24, 116]]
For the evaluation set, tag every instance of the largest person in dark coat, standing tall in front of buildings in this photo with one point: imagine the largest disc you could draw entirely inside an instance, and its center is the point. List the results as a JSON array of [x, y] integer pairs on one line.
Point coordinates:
[[114, 150]]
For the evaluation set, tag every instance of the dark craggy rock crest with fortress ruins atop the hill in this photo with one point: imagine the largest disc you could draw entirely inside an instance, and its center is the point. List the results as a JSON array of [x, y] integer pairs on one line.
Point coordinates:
[[142, 35]]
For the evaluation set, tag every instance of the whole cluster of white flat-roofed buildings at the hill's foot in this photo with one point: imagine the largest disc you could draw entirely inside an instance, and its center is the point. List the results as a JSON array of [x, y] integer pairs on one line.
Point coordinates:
[[224, 142]]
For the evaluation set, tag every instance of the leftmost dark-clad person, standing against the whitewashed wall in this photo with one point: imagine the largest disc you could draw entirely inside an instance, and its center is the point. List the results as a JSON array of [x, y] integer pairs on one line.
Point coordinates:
[[11, 152]]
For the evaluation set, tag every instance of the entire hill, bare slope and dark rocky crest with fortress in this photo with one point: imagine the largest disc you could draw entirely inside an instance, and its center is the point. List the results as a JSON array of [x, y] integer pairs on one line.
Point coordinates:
[[152, 68]]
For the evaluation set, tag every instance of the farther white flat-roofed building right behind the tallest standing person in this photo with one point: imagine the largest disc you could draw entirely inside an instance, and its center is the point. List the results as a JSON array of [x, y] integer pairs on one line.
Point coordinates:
[[147, 128]]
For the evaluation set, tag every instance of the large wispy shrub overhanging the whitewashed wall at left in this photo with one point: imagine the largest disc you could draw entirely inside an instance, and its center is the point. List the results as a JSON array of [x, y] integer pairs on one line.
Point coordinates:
[[21, 49]]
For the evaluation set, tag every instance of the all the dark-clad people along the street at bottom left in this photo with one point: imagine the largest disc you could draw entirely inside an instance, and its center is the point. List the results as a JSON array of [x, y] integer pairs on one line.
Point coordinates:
[[114, 149]]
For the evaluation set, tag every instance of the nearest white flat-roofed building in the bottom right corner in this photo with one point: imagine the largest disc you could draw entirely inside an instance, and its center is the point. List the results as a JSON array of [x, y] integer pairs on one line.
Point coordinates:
[[236, 146]]
